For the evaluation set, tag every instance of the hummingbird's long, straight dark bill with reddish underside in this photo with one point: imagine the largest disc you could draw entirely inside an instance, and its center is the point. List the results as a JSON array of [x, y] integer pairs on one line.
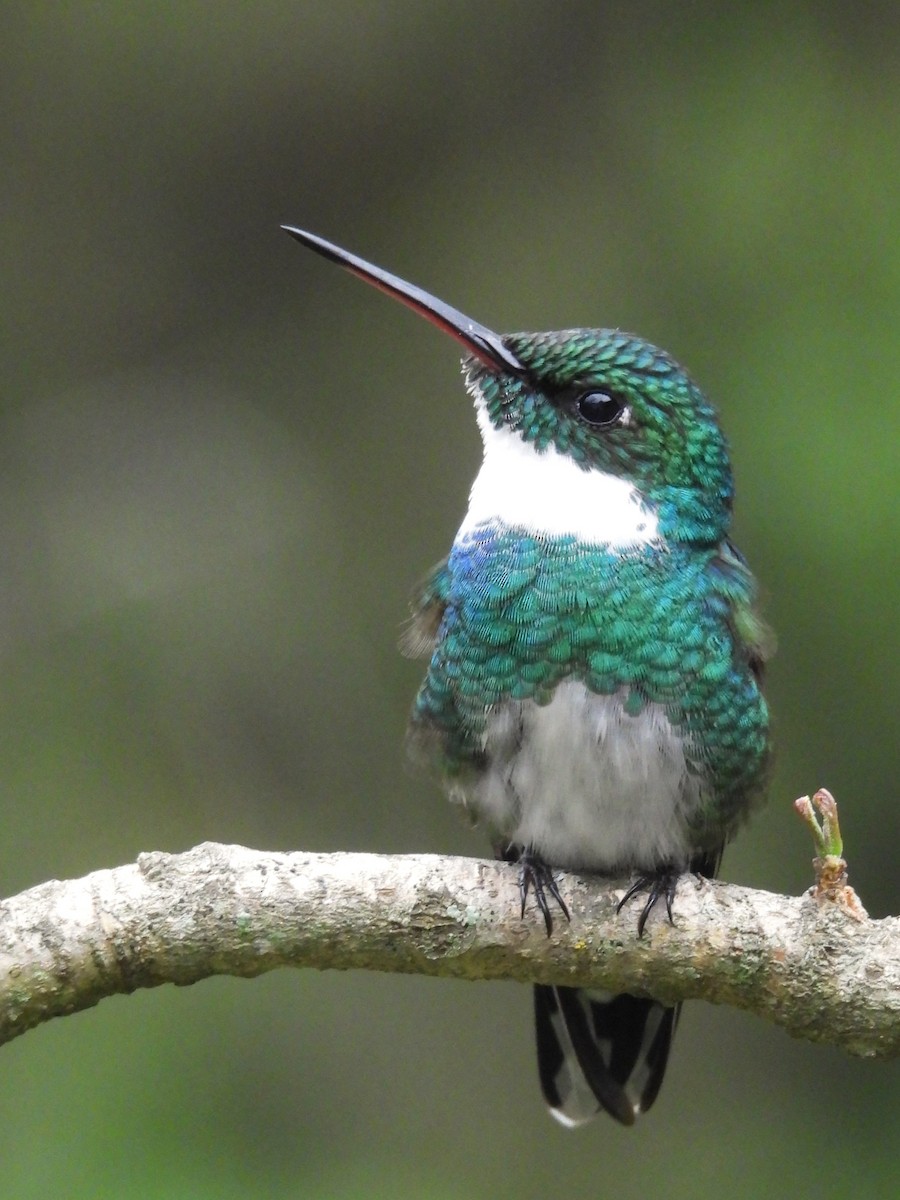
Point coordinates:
[[477, 339]]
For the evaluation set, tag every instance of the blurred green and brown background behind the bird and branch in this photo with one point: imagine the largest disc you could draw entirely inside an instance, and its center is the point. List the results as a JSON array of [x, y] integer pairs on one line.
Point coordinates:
[[225, 465]]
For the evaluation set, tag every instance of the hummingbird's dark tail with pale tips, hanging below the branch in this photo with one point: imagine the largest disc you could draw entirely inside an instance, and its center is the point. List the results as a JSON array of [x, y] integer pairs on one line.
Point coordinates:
[[601, 1052]]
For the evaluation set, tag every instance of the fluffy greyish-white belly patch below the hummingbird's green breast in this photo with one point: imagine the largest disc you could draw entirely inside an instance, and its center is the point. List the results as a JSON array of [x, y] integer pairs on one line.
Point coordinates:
[[585, 784]]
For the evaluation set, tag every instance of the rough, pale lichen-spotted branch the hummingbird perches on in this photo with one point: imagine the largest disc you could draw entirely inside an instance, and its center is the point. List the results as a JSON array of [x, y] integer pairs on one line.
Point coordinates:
[[808, 967]]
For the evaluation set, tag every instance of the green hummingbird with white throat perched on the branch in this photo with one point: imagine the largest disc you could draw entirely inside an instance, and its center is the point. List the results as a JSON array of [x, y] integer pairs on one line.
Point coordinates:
[[596, 653]]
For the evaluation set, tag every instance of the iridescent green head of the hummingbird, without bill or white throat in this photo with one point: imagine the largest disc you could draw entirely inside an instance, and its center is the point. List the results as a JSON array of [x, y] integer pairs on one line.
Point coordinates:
[[615, 404]]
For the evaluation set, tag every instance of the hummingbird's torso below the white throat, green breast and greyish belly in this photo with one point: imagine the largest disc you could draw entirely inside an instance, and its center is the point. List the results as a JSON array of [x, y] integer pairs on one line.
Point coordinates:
[[650, 635]]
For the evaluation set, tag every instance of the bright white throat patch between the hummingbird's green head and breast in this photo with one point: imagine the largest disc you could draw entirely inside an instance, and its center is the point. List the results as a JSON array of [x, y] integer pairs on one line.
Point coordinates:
[[547, 493]]
